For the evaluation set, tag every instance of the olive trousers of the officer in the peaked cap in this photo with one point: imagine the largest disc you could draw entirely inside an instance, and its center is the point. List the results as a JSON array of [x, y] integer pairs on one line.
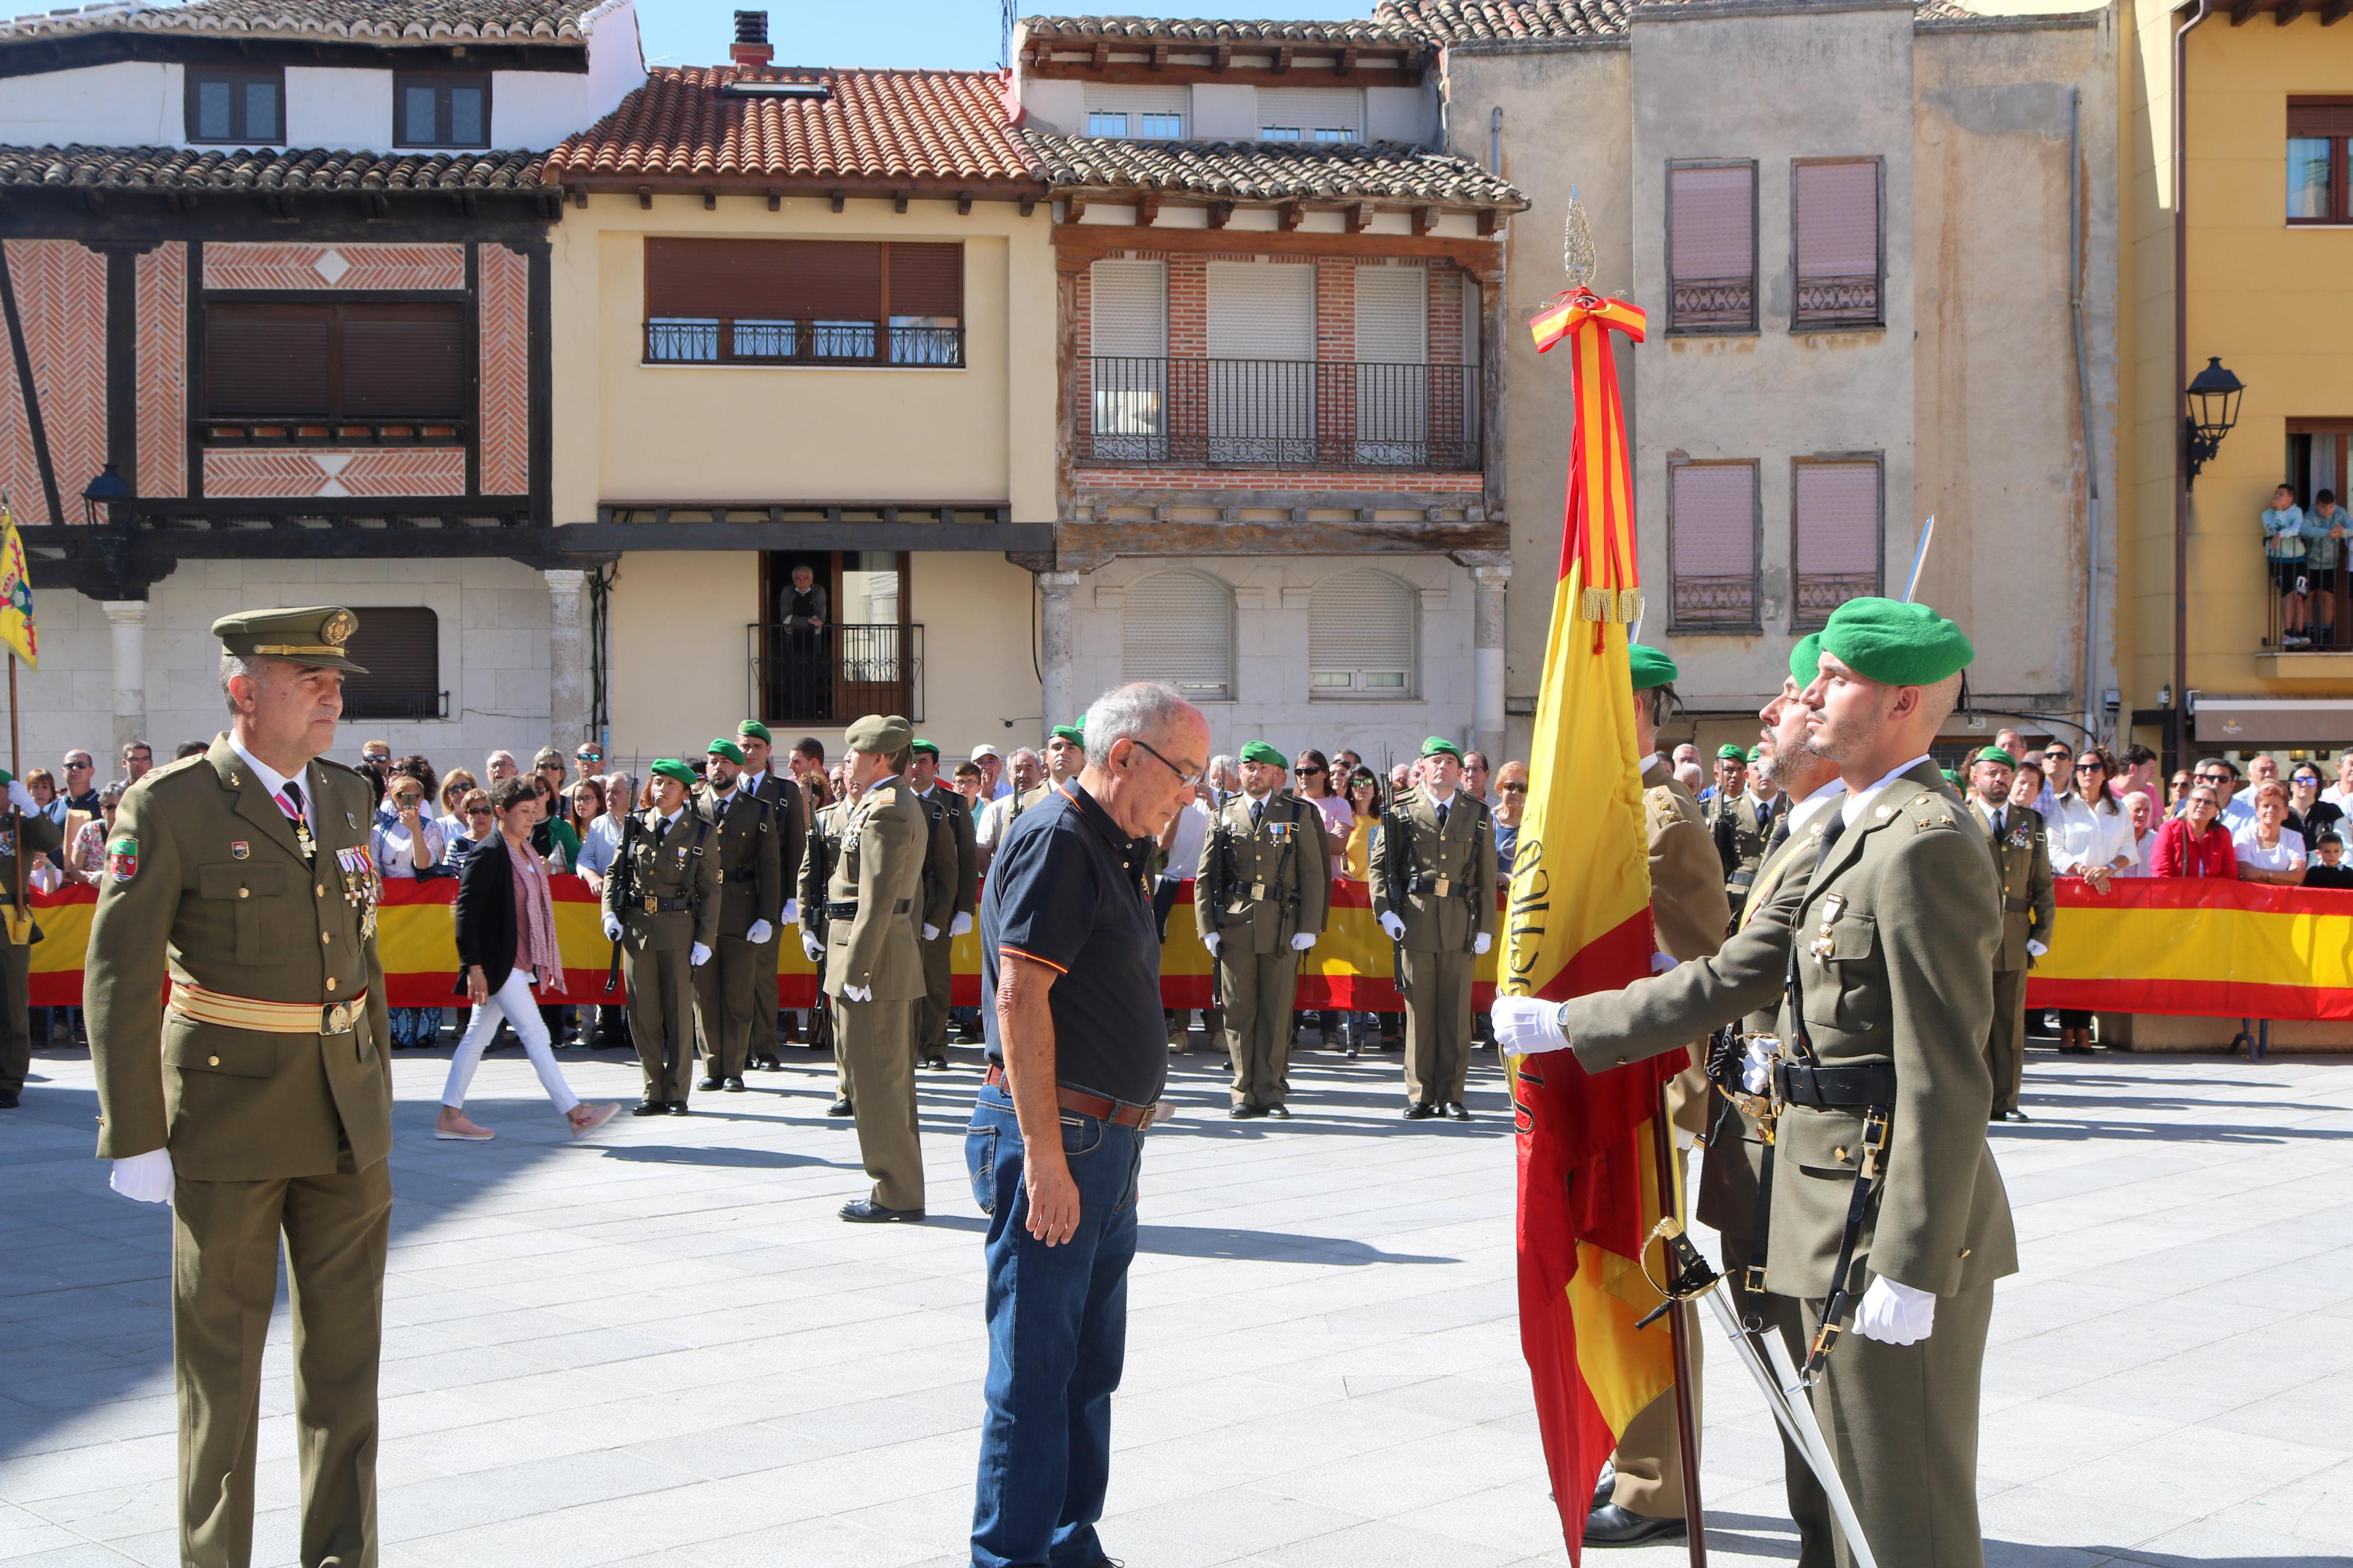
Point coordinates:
[[225, 1280]]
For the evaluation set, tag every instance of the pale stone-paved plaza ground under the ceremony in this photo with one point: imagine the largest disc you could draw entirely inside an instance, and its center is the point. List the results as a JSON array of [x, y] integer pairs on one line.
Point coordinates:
[[662, 1348]]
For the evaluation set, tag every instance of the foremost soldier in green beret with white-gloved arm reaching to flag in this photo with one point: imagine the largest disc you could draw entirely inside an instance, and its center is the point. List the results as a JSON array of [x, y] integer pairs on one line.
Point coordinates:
[[1879, 1078]]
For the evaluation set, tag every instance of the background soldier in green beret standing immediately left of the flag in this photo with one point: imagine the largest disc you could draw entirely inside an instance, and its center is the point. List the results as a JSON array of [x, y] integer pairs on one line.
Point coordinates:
[[1434, 894]]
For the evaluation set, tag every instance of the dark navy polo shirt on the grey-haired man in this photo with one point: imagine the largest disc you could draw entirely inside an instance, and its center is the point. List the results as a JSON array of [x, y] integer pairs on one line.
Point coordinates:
[[1069, 890]]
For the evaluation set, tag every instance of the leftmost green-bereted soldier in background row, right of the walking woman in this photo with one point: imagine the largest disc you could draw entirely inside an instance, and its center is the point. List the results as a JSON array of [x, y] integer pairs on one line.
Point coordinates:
[[662, 906]]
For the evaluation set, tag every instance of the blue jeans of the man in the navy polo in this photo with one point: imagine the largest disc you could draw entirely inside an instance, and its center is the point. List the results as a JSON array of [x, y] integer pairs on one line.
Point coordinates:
[[1058, 1339]]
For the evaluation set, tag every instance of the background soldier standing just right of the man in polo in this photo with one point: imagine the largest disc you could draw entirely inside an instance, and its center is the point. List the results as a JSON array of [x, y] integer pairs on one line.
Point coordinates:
[[1260, 902]]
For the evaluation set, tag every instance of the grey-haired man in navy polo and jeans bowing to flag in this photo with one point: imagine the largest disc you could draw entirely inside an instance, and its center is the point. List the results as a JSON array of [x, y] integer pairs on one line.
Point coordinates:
[[1076, 1064]]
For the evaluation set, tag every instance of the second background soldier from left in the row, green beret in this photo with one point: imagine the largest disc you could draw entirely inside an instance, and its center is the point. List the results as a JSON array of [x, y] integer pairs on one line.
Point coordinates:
[[738, 991]]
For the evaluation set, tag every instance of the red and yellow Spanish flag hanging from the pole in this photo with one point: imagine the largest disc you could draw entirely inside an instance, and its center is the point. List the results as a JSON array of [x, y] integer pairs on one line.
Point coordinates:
[[1580, 923]]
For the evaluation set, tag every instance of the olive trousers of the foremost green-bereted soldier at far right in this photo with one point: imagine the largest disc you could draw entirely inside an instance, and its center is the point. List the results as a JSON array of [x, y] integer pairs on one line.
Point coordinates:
[[1902, 1428]]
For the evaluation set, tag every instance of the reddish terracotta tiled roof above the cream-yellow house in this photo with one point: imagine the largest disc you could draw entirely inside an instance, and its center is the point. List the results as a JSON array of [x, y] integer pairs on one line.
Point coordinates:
[[924, 128]]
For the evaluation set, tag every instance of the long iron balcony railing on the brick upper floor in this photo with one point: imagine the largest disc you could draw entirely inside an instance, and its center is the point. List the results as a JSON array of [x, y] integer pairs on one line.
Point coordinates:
[[1314, 415]]
